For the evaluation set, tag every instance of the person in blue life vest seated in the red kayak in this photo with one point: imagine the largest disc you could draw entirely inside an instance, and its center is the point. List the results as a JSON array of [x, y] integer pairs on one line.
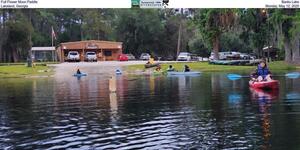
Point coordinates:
[[262, 73]]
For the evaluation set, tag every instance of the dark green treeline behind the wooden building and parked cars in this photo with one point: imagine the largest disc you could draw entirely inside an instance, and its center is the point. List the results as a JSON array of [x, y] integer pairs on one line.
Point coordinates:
[[161, 32]]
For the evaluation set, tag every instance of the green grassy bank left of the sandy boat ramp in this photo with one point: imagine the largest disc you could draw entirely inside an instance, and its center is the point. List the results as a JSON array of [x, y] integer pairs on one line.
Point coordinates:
[[19, 71]]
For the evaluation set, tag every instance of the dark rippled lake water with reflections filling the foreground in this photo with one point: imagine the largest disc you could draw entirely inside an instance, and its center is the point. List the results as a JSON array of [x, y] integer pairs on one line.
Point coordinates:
[[148, 112]]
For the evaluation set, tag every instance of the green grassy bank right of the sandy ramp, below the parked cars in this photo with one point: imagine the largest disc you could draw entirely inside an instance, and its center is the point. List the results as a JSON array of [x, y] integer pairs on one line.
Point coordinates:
[[206, 67]]
